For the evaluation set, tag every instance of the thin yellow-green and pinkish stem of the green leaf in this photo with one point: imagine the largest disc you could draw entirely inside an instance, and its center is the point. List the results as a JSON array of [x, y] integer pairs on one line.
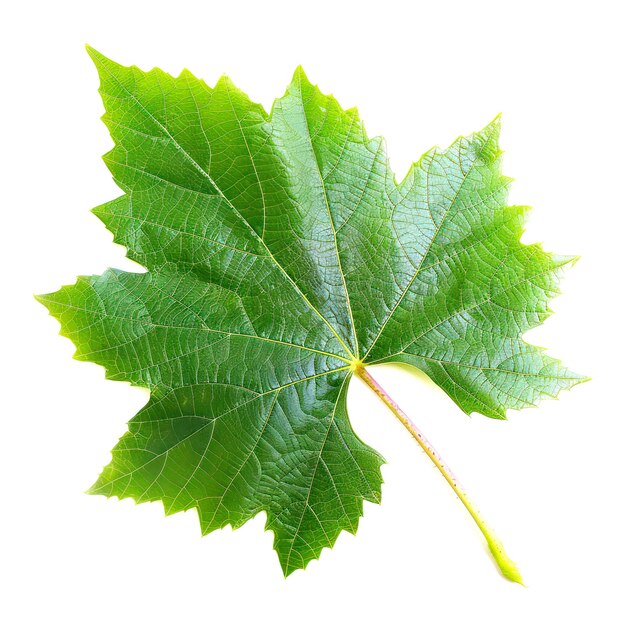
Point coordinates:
[[505, 564]]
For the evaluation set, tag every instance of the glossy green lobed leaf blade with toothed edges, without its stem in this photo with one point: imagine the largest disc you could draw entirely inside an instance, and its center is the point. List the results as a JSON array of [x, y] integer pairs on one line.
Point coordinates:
[[282, 257]]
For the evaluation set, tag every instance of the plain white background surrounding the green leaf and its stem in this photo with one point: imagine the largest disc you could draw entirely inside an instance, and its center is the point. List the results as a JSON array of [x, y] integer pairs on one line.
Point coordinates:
[[550, 480]]
